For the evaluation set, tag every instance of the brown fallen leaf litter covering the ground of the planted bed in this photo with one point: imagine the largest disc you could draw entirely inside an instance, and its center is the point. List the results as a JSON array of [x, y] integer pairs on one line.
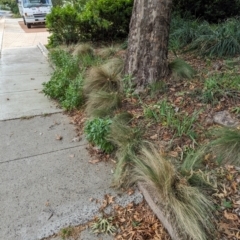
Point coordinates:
[[183, 94]]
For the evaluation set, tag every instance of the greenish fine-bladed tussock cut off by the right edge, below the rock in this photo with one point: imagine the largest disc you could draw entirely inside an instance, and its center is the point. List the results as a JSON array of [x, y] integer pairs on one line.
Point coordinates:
[[226, 145]]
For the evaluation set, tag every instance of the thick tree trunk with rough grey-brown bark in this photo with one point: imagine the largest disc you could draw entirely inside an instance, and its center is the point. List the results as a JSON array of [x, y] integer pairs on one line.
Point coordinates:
[[148, 41]]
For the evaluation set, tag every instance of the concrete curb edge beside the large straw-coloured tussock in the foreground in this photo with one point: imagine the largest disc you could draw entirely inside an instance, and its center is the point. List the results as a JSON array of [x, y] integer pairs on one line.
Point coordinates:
[[158, 212]]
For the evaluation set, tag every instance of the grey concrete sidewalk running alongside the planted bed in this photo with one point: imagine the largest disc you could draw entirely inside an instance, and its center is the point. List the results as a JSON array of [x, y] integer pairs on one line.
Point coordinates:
[[45, 184]]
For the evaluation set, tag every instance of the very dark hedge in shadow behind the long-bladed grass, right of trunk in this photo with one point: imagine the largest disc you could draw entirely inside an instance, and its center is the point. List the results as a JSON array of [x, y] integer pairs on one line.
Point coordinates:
[[212, 11]]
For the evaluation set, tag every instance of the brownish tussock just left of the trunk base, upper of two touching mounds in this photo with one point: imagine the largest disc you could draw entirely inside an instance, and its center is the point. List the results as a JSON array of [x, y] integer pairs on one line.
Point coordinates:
[[104, 78]]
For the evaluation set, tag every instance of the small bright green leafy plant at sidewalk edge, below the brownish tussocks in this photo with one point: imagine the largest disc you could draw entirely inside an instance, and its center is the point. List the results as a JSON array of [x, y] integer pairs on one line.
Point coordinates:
[[97, 131]]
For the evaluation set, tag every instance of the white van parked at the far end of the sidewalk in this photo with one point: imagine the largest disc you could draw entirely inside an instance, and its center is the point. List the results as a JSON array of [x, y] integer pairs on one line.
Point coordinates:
[[34, 11]]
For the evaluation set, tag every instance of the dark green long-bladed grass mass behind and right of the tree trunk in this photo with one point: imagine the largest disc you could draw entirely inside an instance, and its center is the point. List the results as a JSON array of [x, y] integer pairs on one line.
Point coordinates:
[[212, 40]]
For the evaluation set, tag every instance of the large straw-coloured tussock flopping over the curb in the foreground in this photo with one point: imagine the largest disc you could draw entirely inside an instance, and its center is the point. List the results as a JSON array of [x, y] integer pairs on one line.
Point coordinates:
[[190, 208]]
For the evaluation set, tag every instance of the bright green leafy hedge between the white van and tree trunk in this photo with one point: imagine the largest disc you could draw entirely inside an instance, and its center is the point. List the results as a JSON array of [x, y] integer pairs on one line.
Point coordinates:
[[89, 20]]
